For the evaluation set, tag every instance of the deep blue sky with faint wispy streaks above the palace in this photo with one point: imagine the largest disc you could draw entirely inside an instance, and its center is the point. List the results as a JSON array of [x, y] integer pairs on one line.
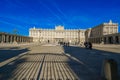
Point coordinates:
[[73, 14]]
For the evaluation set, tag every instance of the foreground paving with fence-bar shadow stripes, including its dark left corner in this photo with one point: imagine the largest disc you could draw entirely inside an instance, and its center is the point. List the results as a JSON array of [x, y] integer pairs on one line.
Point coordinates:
[[39, 66]]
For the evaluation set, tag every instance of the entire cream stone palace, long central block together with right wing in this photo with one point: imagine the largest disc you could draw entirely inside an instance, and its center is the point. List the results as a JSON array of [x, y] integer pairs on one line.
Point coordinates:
[[105, 33]]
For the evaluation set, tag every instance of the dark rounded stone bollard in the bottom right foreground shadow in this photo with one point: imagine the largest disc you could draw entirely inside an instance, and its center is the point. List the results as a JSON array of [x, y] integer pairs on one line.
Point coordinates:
[[110, 70]]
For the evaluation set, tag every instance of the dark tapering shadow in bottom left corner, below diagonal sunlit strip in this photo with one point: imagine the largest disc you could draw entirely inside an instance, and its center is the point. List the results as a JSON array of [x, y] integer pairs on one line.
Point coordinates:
[[7, 71]]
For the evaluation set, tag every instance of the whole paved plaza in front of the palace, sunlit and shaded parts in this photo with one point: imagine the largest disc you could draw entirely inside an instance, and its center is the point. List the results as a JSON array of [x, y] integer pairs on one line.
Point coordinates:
[[54, 62]]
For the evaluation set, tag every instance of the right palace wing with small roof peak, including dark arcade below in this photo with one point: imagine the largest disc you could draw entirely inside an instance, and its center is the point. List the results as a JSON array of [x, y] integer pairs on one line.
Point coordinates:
[[106, 33]]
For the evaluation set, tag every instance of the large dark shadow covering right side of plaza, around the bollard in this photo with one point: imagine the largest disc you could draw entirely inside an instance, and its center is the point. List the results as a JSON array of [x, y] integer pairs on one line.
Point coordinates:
[[91, 61]]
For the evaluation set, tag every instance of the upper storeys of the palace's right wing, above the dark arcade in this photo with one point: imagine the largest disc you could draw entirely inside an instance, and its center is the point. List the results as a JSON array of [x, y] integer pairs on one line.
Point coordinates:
[[104, 29]]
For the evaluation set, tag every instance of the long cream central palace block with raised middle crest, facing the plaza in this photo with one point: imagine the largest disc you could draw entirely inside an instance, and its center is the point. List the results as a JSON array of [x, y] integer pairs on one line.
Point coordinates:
[[59, 34]]
